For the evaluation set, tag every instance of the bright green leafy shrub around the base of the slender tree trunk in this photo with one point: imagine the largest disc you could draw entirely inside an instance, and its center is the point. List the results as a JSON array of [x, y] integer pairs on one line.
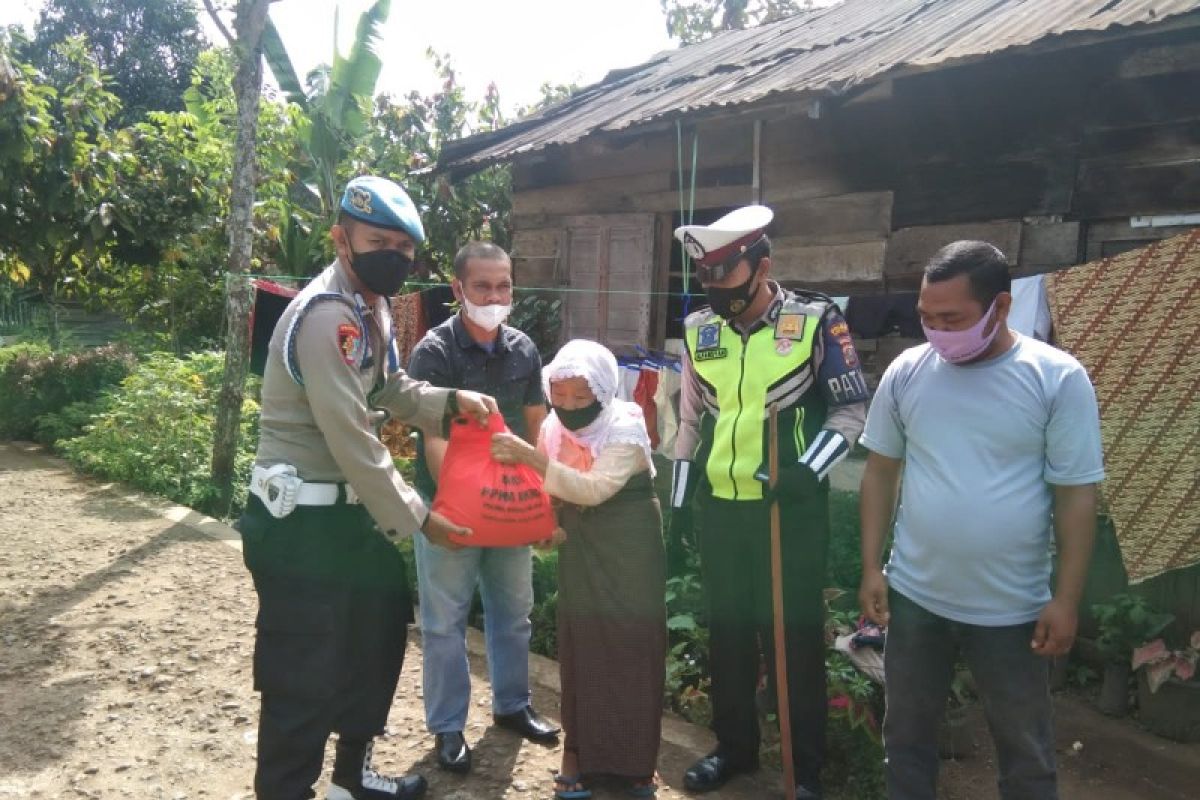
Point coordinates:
[[157, 431]]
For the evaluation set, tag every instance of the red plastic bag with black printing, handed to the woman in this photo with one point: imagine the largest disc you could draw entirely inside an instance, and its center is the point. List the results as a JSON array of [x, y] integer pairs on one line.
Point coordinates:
[[503, 504]]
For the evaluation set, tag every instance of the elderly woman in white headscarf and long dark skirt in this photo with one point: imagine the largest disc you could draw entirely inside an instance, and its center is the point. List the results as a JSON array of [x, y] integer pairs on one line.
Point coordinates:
[[595, 454]]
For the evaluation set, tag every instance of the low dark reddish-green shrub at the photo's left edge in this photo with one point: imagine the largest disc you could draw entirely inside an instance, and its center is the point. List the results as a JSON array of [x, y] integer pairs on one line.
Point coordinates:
[[35, 383]]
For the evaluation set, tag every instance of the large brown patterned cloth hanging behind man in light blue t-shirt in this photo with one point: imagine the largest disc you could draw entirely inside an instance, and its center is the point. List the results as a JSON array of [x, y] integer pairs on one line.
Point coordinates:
[[1131, 320]]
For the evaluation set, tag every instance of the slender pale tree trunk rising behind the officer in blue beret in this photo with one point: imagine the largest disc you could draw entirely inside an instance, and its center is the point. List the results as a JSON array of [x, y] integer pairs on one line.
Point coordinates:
[[248, 85]]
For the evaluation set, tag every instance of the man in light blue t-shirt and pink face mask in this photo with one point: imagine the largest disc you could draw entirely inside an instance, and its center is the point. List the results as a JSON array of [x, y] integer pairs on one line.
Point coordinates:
[[999, 441]]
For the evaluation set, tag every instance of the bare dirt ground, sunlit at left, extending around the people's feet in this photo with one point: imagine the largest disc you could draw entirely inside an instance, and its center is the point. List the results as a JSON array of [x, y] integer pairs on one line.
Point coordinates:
[[125, 649]]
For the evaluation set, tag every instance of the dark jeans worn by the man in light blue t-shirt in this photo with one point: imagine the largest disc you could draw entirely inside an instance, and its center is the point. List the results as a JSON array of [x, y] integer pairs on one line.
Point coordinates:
[[1015, 688]]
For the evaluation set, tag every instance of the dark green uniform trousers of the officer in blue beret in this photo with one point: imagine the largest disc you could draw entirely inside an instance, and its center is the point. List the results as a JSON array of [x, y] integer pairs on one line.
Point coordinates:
[[333, 618]]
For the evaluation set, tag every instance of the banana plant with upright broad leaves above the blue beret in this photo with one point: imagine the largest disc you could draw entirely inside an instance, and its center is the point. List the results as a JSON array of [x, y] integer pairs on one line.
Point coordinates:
[[337, 100]]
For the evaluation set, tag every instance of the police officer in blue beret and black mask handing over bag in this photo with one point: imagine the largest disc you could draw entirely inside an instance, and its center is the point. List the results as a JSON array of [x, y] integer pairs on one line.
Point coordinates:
[[327, 503]]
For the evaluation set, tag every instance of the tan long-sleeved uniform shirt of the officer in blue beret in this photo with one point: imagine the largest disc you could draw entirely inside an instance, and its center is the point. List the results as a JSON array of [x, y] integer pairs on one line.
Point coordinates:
[[325, 428]]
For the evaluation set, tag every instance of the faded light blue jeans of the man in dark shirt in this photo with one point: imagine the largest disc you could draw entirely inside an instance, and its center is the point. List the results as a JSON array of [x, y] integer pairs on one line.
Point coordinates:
[[447, 585]]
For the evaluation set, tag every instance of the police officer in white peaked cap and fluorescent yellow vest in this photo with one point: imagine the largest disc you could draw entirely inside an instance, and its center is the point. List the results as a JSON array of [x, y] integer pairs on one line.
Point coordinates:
[[759, 346]]
